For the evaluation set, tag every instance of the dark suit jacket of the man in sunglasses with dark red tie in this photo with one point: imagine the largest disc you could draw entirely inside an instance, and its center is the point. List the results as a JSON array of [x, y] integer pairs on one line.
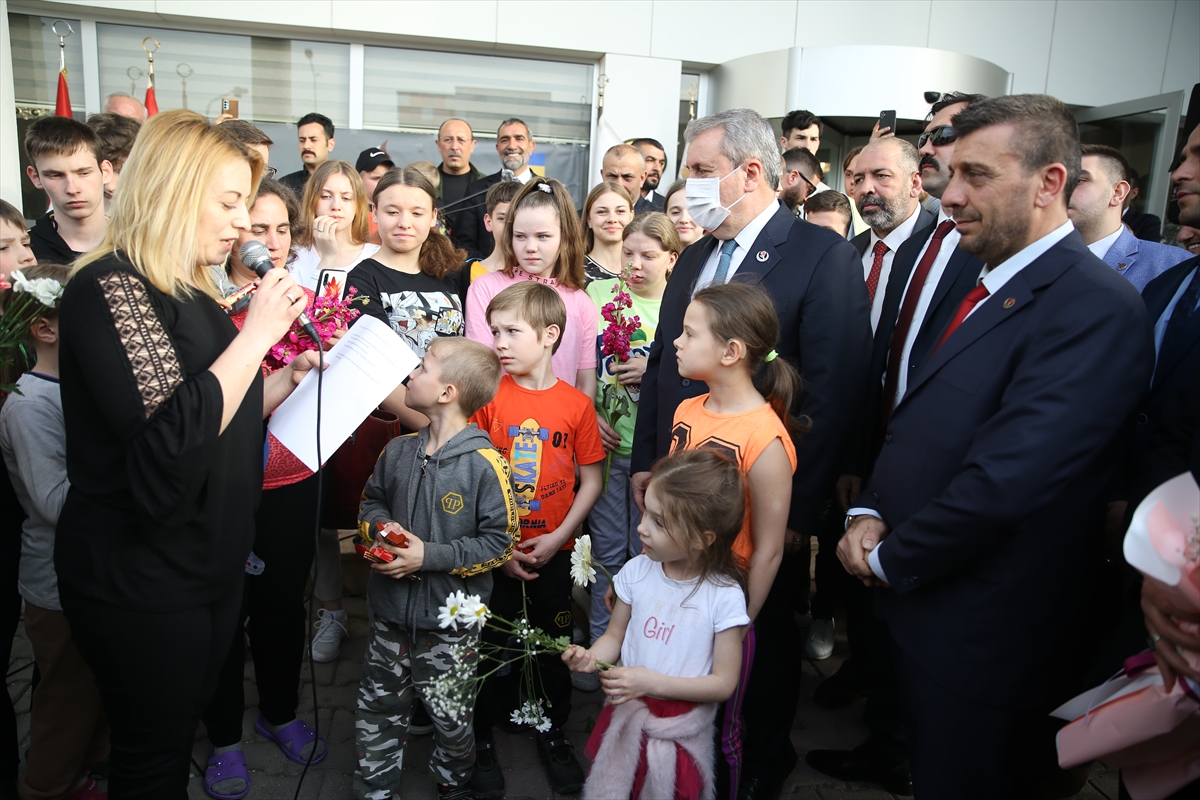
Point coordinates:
[[958, 279]]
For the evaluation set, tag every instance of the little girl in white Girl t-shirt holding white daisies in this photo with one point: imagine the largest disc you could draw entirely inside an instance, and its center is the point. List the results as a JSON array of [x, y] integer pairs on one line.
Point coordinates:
[[677, 627]]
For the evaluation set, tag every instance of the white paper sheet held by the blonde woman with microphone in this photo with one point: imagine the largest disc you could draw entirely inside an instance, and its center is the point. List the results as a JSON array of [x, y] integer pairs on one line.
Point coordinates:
[[364, 368]]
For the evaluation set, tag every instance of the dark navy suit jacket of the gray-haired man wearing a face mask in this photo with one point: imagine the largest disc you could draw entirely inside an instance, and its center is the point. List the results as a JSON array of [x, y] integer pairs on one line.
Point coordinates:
[[817, 282]]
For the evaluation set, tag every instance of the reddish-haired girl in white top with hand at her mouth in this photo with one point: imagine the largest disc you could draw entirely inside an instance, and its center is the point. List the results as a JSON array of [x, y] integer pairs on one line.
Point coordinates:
[[334, 227]]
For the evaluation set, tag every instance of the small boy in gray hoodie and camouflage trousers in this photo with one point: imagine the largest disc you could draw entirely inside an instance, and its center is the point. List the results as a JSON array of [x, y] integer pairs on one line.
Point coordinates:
[[451, 495]]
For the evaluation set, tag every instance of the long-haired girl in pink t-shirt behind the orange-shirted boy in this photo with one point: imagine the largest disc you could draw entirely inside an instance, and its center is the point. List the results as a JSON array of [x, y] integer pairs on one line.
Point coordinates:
[[542, 242]]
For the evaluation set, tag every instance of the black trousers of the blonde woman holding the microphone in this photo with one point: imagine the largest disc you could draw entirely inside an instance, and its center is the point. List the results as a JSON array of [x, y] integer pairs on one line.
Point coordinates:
[[157, 672]]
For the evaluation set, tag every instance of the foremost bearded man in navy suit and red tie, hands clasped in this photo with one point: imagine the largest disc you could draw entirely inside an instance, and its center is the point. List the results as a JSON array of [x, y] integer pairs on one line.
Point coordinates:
[[983, 513]]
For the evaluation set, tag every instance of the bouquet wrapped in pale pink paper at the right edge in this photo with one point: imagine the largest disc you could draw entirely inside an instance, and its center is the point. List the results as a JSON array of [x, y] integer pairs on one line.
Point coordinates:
[[1132, 721]]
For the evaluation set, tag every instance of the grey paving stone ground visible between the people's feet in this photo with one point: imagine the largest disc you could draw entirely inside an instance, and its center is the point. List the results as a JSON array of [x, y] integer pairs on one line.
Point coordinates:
[[274, 778]]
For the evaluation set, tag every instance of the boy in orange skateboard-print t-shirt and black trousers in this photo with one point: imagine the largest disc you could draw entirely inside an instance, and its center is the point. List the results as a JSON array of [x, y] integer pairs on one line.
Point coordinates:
[[545, 429]]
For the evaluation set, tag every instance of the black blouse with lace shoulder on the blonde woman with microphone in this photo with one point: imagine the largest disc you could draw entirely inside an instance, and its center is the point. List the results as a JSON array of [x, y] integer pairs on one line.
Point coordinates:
[[161, 510]]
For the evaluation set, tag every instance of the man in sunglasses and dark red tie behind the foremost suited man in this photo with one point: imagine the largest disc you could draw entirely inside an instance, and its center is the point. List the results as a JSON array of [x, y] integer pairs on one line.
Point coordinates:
[[931, 276]]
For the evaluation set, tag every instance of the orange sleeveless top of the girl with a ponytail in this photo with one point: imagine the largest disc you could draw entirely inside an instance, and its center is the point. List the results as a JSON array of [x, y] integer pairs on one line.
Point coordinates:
[[742, 437]]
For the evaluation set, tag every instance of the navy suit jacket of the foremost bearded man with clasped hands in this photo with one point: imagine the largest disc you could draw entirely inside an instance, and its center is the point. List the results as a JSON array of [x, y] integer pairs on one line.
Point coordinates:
[[993, 476]]
